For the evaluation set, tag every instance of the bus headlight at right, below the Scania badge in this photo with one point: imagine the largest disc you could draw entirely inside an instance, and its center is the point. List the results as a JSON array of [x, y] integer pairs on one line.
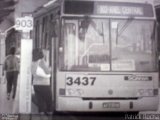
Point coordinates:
[[145, 92]]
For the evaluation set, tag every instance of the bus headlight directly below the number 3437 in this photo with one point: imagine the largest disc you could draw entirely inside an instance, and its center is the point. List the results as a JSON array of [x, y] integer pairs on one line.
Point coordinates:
[[74, 92]]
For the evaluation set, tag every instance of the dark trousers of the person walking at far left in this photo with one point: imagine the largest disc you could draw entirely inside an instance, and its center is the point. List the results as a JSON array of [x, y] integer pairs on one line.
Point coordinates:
[[12, 81]]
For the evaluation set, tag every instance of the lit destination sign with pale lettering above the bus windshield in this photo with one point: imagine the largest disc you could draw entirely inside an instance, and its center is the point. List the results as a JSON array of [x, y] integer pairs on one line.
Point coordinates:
[[125, 9]]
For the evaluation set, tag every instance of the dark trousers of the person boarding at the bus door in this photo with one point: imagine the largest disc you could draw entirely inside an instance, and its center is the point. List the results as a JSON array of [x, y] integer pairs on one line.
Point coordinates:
[[44, 98]]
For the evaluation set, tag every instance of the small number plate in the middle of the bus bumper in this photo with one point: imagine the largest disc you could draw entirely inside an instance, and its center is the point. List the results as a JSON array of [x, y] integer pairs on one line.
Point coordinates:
[[111, 105]]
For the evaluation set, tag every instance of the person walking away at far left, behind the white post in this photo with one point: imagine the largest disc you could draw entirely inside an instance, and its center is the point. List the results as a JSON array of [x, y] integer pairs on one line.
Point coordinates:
[[11, 67]]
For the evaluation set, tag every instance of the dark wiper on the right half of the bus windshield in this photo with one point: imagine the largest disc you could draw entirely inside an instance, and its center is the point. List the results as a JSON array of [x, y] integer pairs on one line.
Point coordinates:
[[123, 28]]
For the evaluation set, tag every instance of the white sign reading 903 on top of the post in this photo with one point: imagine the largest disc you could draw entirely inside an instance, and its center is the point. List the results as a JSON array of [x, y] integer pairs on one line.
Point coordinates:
[[24, 23]]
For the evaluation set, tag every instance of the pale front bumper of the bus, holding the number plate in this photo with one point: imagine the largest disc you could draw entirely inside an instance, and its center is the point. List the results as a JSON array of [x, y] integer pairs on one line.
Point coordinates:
[[73, 104]]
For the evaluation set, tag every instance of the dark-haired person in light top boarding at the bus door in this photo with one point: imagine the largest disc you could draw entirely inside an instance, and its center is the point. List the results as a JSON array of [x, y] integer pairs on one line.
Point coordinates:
[[41, 83]]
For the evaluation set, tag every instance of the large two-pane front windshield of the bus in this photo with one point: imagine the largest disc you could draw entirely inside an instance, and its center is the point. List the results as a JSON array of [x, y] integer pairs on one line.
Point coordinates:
[[108, 45]]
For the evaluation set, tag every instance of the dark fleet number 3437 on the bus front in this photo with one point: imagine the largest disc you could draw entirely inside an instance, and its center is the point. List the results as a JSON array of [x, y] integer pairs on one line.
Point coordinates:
[[80, 80]]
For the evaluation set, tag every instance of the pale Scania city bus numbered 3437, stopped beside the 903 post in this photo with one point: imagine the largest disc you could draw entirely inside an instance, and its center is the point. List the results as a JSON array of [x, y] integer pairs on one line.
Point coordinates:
[[103, 54]]
